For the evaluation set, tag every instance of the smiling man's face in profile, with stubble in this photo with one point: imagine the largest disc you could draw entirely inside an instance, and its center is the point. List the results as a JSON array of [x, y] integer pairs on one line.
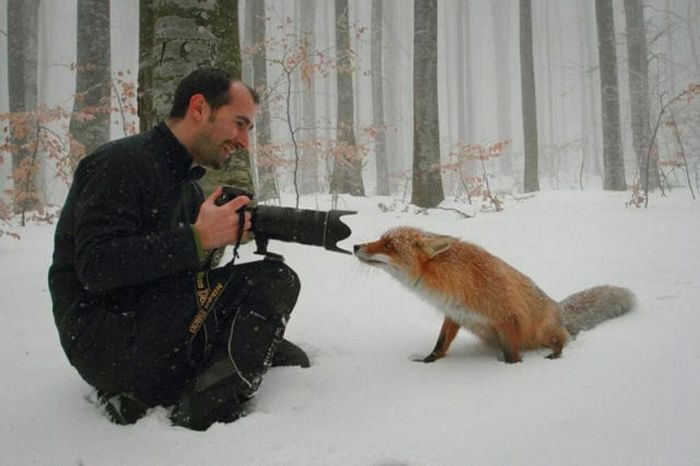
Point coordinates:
[[225, 129]]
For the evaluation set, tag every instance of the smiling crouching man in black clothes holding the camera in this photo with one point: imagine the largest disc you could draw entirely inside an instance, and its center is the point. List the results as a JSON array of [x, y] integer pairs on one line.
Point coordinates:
[[138, 313]]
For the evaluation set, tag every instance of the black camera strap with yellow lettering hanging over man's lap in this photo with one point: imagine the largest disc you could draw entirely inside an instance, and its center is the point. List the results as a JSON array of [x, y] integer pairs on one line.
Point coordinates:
[[206, 296]]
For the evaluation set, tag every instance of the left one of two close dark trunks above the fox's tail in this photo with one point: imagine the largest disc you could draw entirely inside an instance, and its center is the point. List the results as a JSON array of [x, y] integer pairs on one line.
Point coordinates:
[[613, 163]]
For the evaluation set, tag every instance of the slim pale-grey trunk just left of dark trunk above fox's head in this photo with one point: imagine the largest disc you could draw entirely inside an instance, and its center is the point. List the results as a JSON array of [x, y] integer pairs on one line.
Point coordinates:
[[382, 164]]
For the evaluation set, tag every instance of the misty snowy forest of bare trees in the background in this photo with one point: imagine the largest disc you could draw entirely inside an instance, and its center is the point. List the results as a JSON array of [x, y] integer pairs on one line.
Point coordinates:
[[473, 101]]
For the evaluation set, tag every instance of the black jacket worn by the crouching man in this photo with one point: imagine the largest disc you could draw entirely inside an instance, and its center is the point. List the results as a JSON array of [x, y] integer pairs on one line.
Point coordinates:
[[125, 227]]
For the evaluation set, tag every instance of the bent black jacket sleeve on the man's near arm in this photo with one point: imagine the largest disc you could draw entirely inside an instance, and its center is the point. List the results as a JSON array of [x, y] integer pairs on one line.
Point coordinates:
[[111, 249]]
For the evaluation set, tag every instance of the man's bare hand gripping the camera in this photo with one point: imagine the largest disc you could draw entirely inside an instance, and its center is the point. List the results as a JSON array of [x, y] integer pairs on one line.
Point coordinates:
[[218, 225]]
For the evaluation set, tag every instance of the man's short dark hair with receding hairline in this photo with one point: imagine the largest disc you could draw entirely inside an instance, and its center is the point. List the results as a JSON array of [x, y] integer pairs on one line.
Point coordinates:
[[212, 83]]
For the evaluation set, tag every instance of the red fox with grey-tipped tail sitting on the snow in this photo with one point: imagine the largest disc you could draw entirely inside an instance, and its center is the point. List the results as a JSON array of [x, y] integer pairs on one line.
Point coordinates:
[[484, 294]]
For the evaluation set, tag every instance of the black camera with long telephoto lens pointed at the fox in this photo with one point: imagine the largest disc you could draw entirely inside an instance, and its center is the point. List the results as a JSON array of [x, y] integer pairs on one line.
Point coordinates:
[[311, 227]]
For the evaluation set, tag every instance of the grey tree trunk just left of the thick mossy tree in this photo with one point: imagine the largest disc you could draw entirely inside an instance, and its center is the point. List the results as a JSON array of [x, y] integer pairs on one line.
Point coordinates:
[[90, 121]]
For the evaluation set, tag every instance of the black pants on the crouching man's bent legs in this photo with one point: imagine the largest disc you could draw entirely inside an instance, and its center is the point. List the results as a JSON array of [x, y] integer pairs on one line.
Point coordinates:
[[242, 329]]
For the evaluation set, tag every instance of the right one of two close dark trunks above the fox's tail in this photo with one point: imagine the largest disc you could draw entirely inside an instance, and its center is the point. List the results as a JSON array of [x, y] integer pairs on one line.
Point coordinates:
[[638, 69]]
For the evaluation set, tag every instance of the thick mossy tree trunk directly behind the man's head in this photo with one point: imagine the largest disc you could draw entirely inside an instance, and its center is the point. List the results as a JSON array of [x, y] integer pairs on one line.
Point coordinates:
[[177, 37]]
